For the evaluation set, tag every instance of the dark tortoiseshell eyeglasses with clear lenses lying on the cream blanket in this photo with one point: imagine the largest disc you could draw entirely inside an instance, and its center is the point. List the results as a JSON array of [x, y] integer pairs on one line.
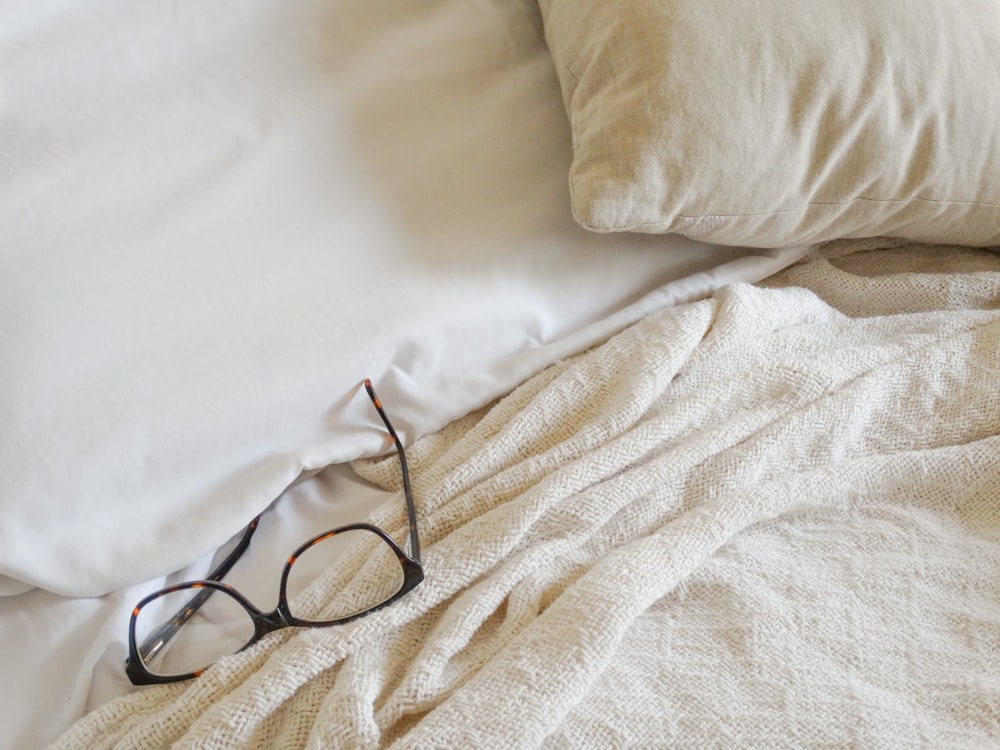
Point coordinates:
[[178, 632]]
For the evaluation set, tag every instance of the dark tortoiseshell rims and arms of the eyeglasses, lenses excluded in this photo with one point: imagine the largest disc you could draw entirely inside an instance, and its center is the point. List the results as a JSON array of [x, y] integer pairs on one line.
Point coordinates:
[[264, 623]]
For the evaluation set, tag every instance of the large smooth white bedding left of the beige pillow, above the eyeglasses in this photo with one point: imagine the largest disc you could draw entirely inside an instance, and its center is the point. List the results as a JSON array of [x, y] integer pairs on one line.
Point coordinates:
[[216, 221]]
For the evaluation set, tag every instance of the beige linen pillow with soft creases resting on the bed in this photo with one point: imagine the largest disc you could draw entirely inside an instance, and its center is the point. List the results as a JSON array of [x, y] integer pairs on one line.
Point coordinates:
[[768, 123]]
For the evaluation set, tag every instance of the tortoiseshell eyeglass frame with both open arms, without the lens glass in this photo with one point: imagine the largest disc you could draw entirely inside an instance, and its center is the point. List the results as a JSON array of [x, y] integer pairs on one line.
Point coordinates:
[[280, 617]]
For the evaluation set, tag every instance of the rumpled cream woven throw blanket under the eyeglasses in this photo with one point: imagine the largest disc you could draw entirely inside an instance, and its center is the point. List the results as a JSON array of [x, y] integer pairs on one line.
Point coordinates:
[[771, 518]]
